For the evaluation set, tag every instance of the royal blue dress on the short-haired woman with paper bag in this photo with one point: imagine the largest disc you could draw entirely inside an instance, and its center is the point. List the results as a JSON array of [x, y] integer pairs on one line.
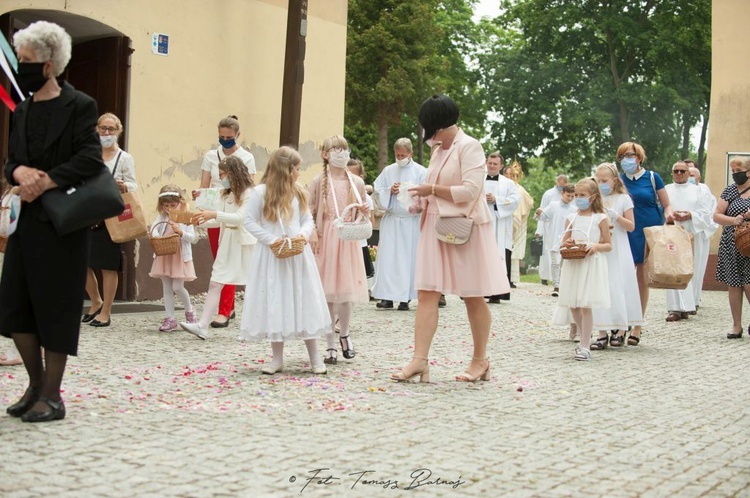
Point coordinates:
[[645, 210]]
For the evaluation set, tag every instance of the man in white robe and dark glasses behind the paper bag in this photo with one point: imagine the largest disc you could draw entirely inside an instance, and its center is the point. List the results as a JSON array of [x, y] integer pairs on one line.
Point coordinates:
[[692, 210]]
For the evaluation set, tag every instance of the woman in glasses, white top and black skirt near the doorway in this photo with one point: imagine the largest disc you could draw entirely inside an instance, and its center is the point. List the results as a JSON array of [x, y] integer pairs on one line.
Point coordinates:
[[105, 255]]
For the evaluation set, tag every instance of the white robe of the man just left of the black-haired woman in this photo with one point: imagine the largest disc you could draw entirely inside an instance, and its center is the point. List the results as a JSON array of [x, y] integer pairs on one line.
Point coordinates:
[[399, 235]]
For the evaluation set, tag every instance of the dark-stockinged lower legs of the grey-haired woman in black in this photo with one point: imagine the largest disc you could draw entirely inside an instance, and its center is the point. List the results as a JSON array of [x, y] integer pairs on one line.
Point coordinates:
[[45, 374]]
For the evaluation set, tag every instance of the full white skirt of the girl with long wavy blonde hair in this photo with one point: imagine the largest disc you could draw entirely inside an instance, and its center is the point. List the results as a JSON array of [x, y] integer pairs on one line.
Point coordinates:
[[285, 299]]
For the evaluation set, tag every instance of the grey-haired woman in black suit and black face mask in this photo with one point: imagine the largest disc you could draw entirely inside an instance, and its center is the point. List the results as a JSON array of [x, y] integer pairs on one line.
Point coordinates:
[[53, 144]]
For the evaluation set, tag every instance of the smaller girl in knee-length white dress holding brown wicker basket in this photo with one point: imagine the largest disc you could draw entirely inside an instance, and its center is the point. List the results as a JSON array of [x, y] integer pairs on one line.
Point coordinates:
[[583, 282]]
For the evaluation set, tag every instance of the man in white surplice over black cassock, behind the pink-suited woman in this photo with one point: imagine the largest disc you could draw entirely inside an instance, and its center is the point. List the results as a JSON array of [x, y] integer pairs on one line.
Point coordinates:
[[502, 199]]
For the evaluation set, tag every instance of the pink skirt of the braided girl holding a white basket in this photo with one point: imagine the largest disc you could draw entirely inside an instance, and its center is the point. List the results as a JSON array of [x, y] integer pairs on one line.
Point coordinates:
[[341, 267]]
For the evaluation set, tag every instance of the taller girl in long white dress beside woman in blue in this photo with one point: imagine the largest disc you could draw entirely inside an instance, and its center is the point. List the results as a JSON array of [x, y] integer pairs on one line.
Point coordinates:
[[625, 302]]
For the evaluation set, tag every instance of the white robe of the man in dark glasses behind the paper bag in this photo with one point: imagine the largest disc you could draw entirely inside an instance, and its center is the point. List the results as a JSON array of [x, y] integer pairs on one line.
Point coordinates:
[[688, 197]]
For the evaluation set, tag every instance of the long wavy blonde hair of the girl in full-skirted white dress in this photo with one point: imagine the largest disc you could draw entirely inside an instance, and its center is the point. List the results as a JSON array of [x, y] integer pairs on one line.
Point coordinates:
[[280, 185]]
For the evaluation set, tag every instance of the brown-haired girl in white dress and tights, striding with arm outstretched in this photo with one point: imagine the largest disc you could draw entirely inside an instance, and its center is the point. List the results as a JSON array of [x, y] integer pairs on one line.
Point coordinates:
[[232, 262]]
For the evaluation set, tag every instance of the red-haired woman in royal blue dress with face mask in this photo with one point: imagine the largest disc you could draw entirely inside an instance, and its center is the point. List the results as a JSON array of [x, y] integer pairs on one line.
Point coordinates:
[[649, 198]]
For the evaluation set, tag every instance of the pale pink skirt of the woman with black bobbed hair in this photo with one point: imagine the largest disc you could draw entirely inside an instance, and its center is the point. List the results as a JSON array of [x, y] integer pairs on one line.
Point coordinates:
[[467, 270]]
